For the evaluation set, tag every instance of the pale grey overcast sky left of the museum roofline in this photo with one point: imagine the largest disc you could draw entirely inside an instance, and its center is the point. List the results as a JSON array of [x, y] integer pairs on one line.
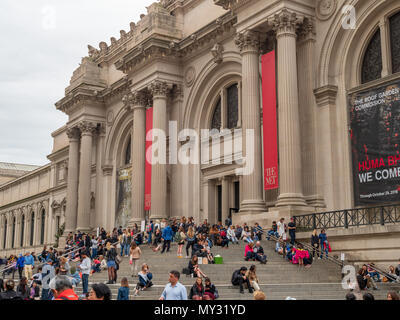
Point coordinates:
[[42, 43]]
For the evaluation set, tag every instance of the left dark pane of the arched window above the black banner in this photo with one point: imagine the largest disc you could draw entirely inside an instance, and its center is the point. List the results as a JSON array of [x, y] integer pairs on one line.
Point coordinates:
[[372, 62]]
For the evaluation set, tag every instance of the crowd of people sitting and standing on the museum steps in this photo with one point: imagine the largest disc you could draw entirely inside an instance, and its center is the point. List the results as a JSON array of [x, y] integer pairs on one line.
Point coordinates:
[[56, 276]]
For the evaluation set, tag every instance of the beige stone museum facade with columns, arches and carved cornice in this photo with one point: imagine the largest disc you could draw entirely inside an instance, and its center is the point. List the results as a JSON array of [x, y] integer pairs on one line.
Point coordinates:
[[197, 64]]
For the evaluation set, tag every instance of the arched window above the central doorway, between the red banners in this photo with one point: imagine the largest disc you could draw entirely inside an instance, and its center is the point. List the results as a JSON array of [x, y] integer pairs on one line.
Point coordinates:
[[226, 114]]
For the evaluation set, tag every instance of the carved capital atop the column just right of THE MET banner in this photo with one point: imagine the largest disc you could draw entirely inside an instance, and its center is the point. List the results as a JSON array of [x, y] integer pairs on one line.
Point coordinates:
[[286, 23]]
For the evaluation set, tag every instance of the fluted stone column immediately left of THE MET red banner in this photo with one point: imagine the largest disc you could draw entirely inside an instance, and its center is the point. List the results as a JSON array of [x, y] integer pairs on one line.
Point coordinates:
[[248, 43]]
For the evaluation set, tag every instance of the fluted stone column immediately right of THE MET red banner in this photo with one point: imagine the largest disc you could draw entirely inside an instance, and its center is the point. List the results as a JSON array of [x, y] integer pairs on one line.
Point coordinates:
[[290, 170]]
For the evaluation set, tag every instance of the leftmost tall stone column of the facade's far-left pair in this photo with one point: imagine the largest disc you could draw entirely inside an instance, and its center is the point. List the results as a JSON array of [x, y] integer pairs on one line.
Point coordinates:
[[72, 184]]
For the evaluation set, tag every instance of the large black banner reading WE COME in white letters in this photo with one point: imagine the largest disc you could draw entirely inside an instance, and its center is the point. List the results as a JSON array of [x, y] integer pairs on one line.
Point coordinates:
[[375, 139]]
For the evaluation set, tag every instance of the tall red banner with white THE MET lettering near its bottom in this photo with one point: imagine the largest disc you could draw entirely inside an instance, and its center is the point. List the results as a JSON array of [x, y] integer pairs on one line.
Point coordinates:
[[270, 135]]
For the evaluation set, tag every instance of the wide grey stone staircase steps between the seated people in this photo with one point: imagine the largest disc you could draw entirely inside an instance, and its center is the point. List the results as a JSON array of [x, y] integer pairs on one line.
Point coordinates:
[[278, 278]]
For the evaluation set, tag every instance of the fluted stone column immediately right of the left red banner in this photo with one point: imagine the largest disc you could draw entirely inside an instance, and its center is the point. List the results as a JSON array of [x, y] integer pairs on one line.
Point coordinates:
[[159, 90]]
